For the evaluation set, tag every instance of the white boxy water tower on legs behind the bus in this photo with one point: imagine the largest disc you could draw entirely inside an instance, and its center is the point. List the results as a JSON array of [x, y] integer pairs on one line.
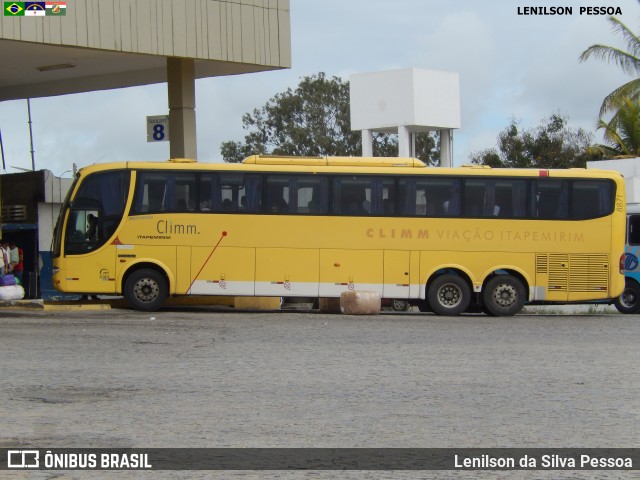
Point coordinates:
[[406, 102]]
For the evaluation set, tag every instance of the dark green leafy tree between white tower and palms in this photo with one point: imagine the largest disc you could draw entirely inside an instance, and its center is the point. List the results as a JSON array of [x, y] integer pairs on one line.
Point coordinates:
[[551, 145]]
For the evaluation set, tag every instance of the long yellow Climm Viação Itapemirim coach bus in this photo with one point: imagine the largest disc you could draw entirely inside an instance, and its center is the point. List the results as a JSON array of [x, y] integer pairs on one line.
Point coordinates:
[[444, 239]]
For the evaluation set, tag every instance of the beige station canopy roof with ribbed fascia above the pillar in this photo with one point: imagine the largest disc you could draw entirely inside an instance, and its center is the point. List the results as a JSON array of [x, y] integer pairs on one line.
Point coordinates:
[[104, 45]]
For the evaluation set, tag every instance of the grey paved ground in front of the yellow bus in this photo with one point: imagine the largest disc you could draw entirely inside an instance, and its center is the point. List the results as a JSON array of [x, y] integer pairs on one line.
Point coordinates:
[[219, 378]]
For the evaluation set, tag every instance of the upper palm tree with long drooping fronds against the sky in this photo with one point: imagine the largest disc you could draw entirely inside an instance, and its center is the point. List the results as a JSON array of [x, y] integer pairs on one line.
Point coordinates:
[[628, 61]]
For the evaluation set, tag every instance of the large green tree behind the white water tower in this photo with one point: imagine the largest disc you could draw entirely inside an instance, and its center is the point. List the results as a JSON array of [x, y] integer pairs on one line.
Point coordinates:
[[313, 120]]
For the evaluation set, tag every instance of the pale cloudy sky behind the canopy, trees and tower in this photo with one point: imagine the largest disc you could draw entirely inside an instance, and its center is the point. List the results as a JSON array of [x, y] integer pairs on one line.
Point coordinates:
[[510, 66]]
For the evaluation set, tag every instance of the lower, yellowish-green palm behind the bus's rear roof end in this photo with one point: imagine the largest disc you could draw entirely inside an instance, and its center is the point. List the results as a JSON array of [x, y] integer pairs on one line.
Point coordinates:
[[622, 132]]
